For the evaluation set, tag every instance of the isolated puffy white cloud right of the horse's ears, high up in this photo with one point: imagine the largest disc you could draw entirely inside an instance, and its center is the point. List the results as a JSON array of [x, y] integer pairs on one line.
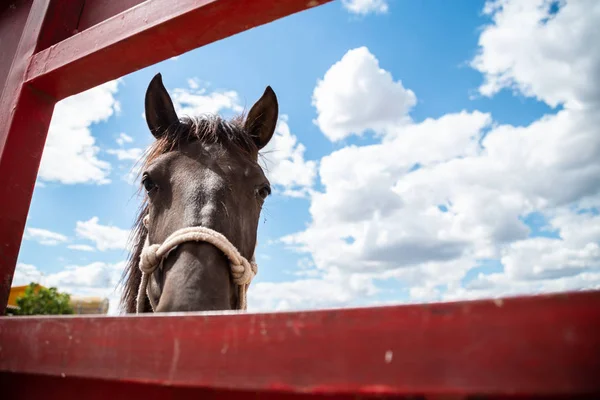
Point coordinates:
[[356, 96]]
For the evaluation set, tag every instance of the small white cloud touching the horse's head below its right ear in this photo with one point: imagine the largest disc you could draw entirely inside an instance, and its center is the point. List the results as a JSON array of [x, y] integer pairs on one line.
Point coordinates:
[[284, 163]]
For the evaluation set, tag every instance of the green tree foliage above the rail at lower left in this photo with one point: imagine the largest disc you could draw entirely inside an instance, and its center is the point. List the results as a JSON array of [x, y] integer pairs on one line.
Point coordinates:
[[39, 300]]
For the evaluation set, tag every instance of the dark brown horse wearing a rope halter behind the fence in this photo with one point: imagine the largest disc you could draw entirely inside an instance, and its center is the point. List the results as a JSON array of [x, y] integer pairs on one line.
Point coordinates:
[[200, 177]]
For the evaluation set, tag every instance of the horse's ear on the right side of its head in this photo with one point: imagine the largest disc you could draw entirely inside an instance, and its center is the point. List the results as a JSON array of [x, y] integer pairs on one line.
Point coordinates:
[[262, 118]]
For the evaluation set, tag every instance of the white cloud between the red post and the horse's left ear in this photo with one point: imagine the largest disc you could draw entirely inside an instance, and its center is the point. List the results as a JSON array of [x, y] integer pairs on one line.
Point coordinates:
[[71, 154]]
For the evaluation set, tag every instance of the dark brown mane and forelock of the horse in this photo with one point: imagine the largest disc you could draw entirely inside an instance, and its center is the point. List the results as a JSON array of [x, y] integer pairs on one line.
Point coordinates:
[[210, 129]]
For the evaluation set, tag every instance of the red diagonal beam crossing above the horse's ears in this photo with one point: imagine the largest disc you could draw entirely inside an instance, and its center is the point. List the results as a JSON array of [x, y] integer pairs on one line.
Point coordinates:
[[146, 34]]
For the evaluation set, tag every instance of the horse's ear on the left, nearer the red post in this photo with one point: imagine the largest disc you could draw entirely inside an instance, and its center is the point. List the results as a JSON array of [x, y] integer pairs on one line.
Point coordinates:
[[160, 112]]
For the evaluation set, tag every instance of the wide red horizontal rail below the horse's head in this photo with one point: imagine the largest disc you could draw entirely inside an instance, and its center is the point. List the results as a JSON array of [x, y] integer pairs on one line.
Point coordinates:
[[545, 345]]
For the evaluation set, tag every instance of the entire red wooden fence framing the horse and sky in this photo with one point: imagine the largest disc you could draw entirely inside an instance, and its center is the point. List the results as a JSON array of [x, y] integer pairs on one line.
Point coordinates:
[[545, 346]]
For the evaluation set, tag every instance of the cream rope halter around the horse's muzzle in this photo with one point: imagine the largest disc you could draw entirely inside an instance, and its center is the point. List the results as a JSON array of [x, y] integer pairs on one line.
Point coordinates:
[[242, 270]]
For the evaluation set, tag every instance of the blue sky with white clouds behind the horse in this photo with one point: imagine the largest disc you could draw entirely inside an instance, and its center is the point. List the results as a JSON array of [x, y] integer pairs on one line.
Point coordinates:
[[487, 101]]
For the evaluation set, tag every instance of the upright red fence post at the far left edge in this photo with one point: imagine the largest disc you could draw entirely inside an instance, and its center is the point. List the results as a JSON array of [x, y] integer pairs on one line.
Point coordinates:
[[25, 115]]
